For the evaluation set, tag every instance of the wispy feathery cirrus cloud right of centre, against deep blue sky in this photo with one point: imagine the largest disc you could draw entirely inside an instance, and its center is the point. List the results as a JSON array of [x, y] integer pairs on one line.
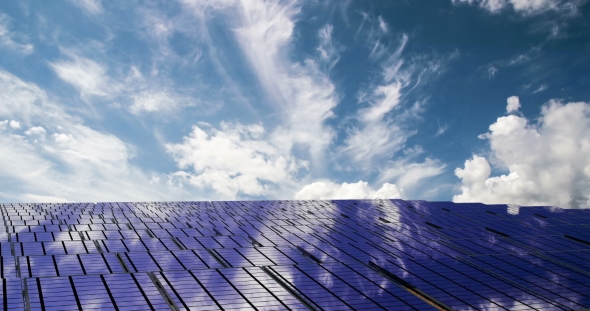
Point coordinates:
[[381, 129]]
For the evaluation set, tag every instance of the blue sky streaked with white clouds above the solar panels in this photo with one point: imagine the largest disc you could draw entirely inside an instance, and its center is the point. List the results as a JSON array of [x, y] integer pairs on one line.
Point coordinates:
[[451, 100]]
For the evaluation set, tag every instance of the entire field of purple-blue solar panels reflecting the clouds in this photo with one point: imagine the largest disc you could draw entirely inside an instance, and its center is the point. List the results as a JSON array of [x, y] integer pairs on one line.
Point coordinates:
[[294, 255]]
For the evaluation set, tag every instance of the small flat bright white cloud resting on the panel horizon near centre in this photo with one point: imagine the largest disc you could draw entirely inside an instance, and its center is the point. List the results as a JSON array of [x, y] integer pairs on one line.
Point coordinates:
[[327, 190]]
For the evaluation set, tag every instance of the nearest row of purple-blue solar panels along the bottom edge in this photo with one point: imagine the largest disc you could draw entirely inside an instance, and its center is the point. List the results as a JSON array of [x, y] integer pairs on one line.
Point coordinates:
[[302, 287]]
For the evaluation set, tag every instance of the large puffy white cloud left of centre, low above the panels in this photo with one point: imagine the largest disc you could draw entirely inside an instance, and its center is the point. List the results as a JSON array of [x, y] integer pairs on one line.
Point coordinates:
[[236, 159]]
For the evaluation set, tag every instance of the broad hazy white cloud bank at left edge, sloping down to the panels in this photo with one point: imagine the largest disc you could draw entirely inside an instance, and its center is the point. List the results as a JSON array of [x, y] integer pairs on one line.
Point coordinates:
[[77, 164]]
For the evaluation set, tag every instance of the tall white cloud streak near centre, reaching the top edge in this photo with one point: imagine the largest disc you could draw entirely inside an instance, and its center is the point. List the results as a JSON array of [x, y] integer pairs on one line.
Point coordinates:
[[301, 92]]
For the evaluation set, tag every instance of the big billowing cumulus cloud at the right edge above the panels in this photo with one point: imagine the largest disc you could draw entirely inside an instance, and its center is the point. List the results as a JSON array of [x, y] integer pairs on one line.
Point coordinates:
[[547, 162]]
